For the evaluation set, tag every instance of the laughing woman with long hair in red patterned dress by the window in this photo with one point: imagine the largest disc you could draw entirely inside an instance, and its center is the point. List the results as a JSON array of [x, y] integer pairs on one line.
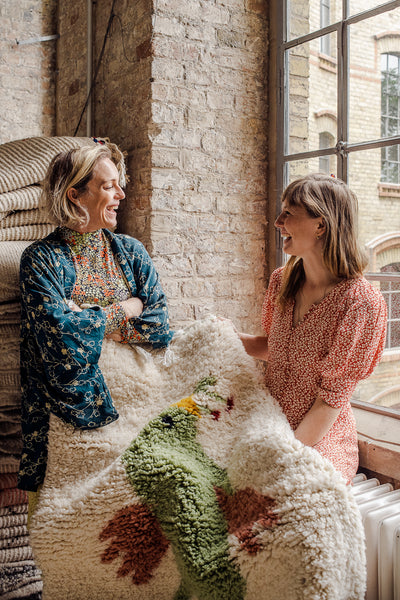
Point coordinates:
[[324, 323]]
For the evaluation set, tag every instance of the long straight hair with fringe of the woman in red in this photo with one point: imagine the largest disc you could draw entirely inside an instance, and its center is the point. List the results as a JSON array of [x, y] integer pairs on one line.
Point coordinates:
[[330, 198]]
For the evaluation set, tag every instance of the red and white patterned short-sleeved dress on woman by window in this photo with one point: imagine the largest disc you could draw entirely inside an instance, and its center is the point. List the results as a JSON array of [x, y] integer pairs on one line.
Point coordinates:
[[338, 342]]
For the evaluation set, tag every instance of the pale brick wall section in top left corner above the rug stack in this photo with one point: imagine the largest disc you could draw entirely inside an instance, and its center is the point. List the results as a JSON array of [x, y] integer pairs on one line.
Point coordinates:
[[27, 71]]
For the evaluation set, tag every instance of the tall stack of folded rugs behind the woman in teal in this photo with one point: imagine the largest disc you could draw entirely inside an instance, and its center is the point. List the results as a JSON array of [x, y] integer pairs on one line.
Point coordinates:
[[23, 164]]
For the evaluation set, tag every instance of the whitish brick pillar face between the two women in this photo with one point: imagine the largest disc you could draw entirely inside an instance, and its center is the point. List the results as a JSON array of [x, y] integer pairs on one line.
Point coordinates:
[[209, 157]]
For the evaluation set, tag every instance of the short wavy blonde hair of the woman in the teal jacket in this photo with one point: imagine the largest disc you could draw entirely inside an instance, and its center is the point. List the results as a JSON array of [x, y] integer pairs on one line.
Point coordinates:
[[74, 169]]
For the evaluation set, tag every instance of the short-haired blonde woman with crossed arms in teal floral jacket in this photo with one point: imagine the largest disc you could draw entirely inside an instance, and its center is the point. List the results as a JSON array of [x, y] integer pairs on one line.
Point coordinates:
[[78, 285]]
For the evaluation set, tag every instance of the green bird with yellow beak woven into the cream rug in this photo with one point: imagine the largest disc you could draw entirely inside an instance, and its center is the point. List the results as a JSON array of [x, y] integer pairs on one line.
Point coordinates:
[[170, 471]]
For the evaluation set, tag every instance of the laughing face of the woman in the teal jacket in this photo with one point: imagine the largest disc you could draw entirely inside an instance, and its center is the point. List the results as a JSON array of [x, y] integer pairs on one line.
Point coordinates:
[[102, 196]]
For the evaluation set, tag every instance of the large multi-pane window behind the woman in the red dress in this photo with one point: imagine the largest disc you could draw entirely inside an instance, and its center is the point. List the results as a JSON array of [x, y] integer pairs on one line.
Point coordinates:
[[354, 97]]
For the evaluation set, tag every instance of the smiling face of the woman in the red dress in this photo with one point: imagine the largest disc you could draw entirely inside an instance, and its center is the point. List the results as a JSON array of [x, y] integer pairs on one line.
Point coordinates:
[[299, 230]]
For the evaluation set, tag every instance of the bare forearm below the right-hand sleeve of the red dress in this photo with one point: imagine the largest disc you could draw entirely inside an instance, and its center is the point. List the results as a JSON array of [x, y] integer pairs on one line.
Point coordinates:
[[316, 423]]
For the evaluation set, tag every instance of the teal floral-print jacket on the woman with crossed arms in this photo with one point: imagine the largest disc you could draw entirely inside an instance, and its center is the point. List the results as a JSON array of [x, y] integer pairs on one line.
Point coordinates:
[[60, 348]]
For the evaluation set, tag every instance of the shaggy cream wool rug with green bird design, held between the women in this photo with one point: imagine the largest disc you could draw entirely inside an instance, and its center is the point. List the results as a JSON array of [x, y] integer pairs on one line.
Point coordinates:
[[199, 490]]
